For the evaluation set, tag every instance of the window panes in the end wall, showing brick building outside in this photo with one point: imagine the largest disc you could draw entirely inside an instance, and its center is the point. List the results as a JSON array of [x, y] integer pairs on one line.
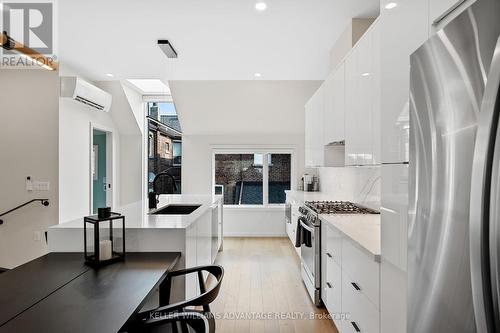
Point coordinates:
[[258, 178]]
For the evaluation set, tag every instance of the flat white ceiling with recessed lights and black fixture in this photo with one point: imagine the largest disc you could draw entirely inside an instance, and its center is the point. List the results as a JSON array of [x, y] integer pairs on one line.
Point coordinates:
[[215, 40]]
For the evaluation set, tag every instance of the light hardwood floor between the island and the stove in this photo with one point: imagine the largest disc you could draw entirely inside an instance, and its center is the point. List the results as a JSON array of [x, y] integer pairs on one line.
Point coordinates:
[[262, 280]]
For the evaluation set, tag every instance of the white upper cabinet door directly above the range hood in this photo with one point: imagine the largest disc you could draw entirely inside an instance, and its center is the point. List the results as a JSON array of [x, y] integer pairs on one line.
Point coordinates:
[[334, 109]]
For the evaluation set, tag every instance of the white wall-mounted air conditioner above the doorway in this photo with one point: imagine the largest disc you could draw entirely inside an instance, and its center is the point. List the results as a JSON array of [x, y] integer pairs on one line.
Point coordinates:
[[85, 92]]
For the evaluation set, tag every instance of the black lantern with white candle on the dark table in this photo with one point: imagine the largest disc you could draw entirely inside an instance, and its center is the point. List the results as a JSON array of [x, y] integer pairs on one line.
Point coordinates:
[[104, 245]]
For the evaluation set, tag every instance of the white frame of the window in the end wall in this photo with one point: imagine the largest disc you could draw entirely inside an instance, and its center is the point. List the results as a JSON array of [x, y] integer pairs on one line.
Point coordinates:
[[265, 171]]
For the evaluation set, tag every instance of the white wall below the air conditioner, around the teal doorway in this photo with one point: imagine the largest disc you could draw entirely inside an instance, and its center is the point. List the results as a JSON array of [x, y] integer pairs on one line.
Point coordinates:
[[74, 139]]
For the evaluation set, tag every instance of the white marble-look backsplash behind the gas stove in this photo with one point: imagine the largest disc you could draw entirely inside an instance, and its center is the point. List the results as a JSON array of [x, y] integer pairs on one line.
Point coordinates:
[[357, 184]]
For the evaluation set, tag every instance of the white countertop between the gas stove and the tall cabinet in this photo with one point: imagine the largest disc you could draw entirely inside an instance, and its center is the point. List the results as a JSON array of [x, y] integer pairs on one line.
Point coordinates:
[[363, 229]]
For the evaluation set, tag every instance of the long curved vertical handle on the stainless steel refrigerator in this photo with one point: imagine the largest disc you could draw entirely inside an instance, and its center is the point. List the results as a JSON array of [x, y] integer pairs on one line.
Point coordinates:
[[480, 199]]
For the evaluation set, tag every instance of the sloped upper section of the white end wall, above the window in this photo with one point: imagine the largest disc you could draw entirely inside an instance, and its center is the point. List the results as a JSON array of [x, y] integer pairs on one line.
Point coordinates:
[[242, 107]]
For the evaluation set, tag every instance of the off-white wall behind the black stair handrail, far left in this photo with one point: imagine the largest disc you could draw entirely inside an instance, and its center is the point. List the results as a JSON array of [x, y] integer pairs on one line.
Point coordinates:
[[28, 147]]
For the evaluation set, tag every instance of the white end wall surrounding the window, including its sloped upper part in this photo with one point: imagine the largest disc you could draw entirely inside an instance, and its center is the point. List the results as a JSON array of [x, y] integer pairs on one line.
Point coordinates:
[[223, 114]]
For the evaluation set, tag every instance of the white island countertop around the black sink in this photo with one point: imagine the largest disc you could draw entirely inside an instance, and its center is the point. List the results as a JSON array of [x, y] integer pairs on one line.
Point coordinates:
[[137, 217]]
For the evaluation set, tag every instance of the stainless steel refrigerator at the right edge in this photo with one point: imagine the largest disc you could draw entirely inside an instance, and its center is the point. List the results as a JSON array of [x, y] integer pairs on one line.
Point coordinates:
[[454, 183]]
